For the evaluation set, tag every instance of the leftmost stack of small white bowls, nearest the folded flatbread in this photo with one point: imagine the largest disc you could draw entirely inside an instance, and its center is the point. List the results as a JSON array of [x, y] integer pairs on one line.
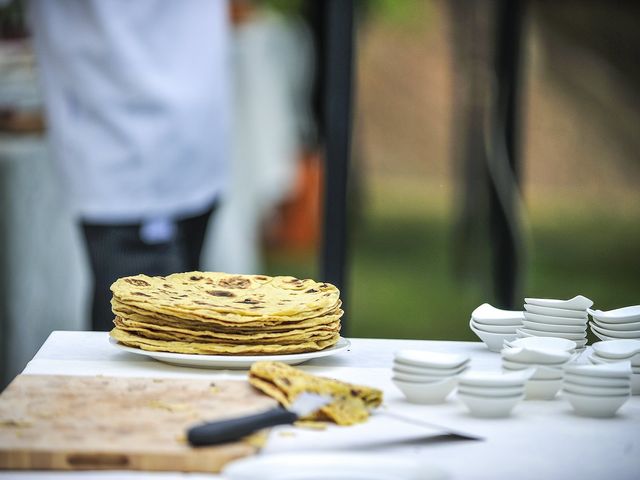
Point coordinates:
[[427, 377]]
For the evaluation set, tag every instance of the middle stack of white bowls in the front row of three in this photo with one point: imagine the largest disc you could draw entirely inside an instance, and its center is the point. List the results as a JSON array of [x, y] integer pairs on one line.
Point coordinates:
[[492, 394]]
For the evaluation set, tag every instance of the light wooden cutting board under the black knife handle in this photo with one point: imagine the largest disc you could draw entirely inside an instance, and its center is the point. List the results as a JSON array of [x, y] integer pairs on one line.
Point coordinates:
[[88, 423]]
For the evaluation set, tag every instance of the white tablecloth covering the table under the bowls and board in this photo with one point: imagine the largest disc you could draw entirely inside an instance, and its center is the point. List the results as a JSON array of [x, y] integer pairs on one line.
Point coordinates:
[[541, 440]]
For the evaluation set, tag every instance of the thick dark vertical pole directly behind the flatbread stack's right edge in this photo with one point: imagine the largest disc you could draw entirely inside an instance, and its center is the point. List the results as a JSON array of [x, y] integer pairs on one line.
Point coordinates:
[[338, 66]]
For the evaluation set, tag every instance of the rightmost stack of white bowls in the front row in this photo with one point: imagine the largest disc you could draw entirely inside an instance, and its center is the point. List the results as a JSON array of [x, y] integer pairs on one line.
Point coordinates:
[[597, 390]]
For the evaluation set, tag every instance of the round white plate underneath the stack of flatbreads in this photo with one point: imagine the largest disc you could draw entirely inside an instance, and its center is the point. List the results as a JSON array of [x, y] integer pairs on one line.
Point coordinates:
[[232, 361]]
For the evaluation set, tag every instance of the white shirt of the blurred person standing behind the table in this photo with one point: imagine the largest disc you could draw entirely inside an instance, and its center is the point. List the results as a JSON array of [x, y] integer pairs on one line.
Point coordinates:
[[136, 94]]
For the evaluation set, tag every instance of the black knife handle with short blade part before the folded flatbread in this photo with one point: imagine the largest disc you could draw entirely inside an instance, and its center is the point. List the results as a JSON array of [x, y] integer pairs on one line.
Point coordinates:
[[222, 431]]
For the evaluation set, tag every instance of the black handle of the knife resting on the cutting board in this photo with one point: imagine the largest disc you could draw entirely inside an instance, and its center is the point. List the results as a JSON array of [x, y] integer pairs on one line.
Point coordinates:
[[228, 430]]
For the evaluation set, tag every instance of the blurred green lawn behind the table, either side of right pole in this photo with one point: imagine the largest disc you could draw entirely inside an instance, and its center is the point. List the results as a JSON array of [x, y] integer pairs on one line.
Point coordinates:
[[401, 282]]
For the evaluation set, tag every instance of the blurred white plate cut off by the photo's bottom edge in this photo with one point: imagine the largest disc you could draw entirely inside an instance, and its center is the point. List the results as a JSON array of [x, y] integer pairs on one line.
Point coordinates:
[[332, 466]]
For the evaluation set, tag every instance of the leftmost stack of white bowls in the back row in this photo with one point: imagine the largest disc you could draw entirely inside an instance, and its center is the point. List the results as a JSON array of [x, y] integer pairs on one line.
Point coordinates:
[[493, 326]]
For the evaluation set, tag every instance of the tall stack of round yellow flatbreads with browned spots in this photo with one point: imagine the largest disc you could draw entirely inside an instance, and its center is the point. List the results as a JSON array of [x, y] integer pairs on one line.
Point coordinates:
[[223, 314]]
